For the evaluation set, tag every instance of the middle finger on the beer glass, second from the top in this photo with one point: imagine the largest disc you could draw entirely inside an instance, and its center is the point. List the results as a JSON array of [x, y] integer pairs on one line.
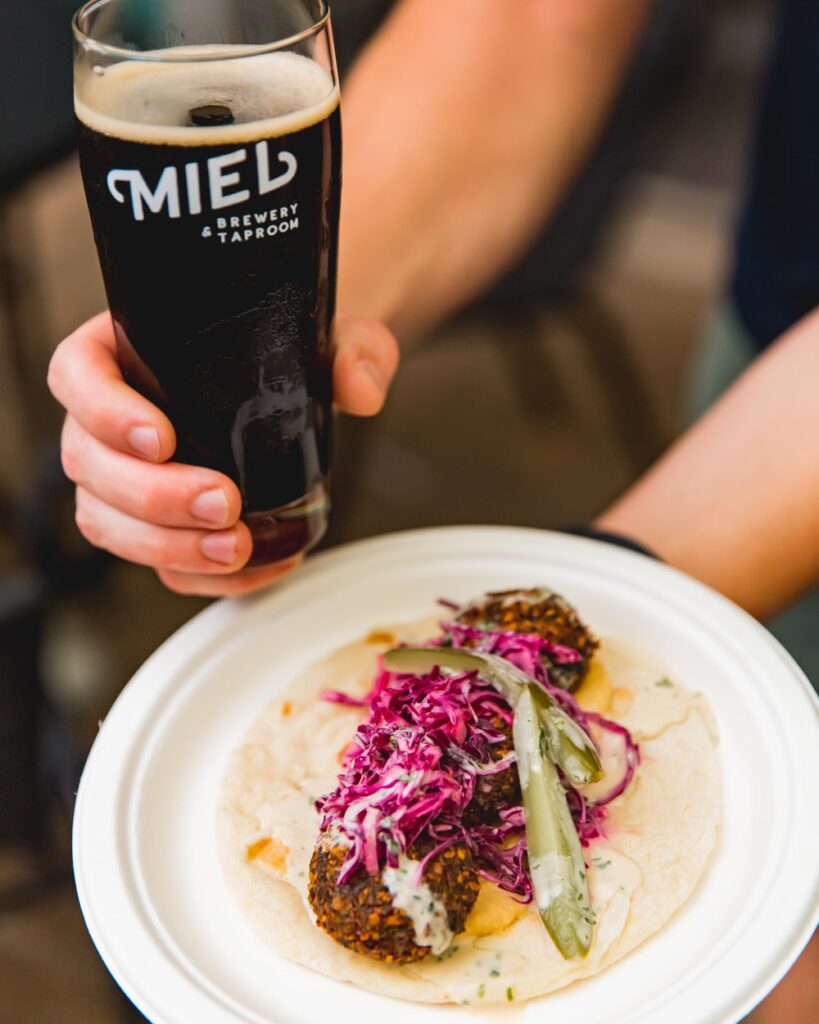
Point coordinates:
[[170, 495]]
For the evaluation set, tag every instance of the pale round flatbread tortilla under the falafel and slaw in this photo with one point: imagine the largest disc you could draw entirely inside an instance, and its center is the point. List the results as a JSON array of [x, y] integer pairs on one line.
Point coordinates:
[[661, 835]]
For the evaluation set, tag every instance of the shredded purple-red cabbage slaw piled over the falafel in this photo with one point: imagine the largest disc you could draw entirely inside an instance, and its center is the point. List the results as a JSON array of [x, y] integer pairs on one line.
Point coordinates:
[[412, 769]]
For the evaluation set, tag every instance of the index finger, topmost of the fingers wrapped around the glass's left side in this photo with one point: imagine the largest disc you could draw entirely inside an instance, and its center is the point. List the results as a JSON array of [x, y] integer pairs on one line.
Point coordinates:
[[85, 377]]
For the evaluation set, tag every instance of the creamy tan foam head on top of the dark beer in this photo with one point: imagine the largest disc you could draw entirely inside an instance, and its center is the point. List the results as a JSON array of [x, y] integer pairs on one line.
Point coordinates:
[[151, 101]]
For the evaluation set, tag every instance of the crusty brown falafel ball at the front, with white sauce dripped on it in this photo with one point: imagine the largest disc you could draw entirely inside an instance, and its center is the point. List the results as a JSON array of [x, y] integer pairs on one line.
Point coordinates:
[[361, 915]]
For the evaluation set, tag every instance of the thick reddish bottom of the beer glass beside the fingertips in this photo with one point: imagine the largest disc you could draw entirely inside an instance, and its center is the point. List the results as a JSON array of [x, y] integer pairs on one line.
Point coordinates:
[[289, 531]]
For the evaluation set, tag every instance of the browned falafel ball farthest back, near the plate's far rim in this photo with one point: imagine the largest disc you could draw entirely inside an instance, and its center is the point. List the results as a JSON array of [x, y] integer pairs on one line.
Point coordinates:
[[542, 612]]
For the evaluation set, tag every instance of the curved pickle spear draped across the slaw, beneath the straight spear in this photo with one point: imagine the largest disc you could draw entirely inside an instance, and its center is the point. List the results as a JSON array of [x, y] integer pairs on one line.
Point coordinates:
[[572, 748]]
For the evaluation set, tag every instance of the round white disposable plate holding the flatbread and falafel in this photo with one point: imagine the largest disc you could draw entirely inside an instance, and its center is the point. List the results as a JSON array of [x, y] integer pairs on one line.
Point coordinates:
[[147, 871]]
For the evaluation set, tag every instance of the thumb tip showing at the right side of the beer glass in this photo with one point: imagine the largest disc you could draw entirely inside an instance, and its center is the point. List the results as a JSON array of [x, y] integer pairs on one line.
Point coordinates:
[[367, 358]]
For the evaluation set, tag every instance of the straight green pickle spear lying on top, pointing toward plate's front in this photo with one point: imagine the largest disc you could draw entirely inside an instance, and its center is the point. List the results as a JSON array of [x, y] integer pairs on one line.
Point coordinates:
[[556, 866]]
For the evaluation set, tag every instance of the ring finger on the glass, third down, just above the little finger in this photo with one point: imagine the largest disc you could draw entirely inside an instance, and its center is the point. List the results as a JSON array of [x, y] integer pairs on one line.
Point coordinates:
[[161, 547]]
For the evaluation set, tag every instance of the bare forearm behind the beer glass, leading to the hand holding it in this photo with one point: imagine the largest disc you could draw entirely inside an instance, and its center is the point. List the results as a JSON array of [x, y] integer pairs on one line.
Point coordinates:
[[465, 122]]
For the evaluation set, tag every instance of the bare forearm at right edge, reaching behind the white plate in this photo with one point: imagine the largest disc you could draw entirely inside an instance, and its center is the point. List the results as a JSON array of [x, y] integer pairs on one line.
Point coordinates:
[[736, 503]]
